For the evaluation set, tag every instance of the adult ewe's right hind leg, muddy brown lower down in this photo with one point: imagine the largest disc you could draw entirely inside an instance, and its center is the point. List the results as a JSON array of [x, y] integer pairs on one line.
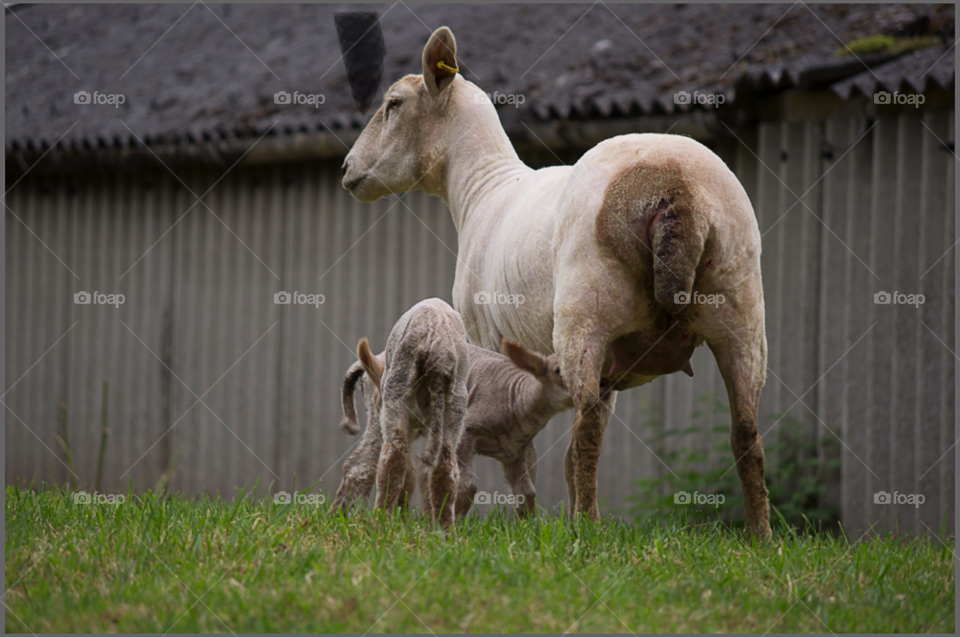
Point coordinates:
[[741, 357]]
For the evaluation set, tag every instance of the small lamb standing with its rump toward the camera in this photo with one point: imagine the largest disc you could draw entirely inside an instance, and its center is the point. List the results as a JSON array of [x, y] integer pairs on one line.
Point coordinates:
[[420, 389]]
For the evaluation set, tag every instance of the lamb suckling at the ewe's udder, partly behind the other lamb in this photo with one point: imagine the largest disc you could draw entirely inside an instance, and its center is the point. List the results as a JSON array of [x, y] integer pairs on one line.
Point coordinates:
[[511, 398]]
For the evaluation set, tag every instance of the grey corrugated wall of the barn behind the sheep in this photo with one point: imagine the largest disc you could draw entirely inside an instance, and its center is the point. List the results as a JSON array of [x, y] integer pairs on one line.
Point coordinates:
[[208, 375]]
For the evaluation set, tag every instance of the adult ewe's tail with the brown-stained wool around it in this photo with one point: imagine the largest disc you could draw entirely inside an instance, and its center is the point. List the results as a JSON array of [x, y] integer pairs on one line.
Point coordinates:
[[648, 220]]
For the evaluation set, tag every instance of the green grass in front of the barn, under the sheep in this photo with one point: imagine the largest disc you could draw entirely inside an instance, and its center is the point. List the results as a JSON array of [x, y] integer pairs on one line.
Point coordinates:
[[143, 566]]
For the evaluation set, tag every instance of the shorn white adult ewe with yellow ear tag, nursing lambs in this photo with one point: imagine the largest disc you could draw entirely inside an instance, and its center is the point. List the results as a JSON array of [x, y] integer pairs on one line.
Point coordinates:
[[605, 252]]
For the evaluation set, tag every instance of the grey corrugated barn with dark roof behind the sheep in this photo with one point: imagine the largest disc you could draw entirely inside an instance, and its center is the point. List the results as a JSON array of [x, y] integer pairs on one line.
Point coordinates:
[[152, 169]]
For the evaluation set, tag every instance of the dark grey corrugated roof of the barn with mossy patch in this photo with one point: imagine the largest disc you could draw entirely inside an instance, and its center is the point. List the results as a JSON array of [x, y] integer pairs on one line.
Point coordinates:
[[196, 72]]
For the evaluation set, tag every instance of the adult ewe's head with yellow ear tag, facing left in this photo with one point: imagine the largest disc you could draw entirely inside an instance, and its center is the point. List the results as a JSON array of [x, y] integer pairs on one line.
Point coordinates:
[[404, 145]]
